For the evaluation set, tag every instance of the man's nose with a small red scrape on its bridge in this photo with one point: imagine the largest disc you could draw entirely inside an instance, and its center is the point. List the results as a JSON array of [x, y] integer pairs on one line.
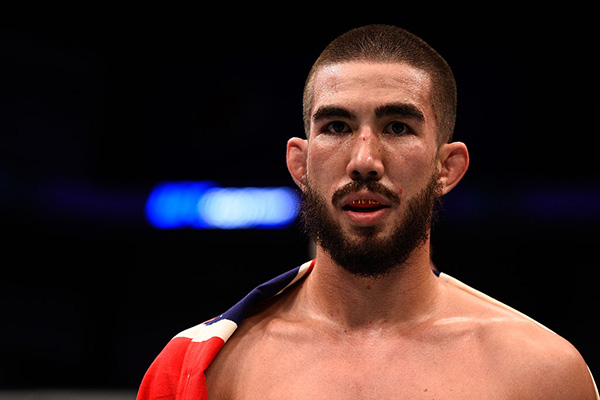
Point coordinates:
[[366, 158]]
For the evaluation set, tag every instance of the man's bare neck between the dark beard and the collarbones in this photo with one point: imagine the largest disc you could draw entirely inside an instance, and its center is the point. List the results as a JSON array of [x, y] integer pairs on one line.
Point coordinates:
[[403, 297]]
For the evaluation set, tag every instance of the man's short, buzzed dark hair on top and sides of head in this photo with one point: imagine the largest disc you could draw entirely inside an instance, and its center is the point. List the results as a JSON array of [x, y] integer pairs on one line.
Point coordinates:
[[390, 44]]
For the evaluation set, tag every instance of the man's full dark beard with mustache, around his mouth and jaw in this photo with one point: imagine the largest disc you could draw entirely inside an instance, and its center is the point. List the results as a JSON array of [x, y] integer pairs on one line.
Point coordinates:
[[372, 257]]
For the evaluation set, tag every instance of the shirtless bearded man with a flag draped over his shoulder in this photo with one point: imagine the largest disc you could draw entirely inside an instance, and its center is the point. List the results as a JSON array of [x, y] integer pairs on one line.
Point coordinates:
[[369, 318]]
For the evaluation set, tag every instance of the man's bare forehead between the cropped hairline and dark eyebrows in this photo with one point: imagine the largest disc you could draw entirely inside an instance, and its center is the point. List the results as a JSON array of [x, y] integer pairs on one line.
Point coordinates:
[[368, 85]]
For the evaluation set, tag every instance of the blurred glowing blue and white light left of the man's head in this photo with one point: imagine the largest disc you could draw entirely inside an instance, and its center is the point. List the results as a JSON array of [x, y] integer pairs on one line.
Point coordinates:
[[205, 205]]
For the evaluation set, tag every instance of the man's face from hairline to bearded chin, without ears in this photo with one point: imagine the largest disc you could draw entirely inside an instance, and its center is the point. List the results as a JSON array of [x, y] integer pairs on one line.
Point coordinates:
[[372, 167]]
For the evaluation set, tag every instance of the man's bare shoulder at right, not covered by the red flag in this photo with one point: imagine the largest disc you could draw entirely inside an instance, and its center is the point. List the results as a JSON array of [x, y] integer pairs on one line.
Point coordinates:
[[532, 359]]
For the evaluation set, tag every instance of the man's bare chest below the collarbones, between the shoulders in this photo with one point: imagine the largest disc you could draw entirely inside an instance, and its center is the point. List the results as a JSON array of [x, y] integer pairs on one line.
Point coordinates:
[[372, 369]]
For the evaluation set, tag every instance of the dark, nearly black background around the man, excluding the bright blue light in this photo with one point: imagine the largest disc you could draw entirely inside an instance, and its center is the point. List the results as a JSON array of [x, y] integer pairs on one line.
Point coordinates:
[[96, 107]]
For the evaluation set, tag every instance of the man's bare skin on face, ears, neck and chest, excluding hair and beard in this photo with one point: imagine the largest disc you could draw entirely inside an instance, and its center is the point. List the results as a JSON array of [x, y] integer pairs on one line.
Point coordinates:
[[408, 335]]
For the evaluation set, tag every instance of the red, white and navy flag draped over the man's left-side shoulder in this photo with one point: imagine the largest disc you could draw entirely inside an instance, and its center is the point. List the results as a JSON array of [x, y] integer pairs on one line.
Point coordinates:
[[177, 373]]
